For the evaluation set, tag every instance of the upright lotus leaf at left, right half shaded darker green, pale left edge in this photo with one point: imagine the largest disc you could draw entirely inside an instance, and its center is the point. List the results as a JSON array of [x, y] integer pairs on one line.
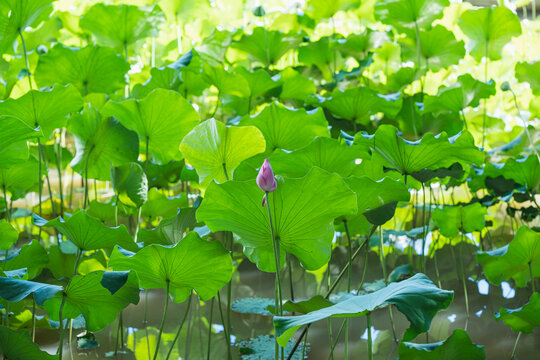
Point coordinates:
[[100, 142]]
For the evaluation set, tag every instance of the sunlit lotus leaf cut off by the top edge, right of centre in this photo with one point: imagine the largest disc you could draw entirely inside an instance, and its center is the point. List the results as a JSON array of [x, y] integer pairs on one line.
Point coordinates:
[[408, 15]]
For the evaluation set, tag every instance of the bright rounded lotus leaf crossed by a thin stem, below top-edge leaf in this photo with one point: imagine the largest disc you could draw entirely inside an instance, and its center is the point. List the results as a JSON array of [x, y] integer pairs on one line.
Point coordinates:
[[439, 48]]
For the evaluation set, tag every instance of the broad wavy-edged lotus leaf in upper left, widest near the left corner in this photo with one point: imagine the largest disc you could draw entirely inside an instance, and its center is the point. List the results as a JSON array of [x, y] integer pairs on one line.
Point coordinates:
[[92, 69]]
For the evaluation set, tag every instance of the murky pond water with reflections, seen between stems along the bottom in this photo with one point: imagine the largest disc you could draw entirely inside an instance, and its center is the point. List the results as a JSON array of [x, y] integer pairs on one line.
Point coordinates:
[[484, 301]]
